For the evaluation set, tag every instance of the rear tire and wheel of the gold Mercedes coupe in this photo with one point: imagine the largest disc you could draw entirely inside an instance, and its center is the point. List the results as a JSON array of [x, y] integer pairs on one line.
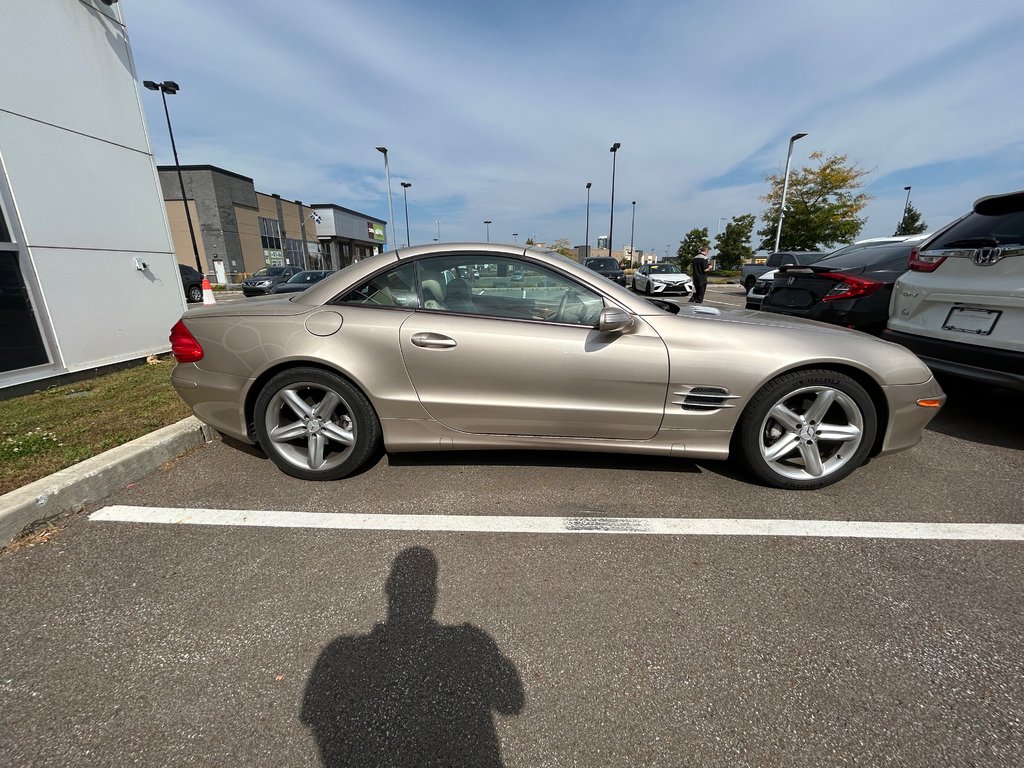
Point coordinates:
[[295, 434]]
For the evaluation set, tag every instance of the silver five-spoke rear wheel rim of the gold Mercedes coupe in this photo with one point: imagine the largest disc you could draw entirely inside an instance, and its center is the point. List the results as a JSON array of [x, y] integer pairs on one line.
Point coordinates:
[[311, 426]]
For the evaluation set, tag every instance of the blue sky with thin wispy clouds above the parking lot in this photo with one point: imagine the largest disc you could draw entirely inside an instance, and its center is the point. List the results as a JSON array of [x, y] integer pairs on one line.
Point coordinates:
[[503, 111]]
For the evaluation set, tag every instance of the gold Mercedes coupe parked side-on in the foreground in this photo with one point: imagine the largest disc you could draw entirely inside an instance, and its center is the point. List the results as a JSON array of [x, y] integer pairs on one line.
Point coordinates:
[[391, 355]]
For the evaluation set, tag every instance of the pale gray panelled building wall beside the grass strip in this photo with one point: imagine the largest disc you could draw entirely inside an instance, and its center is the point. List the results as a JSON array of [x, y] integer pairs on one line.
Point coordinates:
[[83, 197]]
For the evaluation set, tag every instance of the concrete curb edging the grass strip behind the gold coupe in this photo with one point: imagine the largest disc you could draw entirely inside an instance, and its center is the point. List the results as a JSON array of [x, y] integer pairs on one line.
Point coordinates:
[[71, 489]]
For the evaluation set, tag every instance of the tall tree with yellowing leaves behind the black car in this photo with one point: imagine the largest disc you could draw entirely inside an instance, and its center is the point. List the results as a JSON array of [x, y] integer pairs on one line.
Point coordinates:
[[822, 205]]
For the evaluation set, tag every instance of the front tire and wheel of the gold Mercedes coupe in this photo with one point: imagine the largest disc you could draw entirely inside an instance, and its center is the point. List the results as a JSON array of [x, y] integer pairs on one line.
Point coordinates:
[[842, 411]]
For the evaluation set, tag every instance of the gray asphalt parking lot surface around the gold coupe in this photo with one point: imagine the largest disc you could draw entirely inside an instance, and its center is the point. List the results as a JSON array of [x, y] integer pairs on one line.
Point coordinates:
[[595, 641]]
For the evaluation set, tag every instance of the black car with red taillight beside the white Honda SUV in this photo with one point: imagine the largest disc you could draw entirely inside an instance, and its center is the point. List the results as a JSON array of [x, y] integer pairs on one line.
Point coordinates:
[[848, 288]]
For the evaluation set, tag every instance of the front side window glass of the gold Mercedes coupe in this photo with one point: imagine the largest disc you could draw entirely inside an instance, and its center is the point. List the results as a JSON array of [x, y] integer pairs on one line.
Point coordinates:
[[505, 288]]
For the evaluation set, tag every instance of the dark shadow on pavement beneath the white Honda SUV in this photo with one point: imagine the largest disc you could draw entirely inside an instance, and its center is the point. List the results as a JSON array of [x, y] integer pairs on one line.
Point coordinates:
[[980, 414]]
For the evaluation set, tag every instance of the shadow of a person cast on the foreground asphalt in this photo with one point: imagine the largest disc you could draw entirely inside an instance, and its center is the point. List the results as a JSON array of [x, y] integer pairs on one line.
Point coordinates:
[[413, 693]]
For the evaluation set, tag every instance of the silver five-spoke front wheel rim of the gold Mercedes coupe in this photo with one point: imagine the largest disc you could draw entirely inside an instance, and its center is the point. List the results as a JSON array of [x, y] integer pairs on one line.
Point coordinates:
[[812, 433]]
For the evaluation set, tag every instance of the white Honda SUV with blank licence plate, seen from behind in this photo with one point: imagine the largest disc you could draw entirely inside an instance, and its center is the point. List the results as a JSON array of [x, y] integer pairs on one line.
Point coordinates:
[[961, 307]]
